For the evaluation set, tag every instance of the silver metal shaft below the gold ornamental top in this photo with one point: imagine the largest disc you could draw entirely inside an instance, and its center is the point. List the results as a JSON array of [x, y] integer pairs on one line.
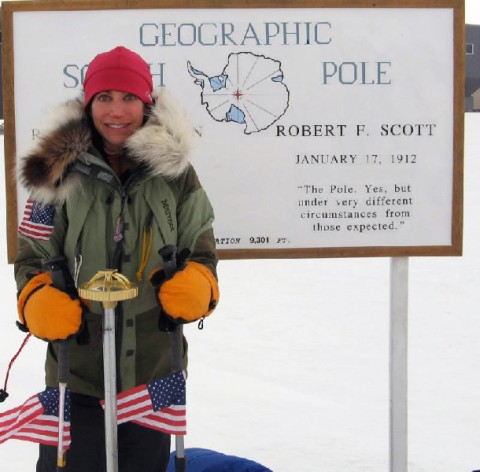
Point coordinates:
[[110, 385]]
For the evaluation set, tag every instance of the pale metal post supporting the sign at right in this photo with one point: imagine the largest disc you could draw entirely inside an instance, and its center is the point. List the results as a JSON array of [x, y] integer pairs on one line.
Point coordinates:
[[399, 364]]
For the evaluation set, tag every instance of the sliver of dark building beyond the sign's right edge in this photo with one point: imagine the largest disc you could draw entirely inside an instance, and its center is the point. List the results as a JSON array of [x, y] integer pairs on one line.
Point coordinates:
[[472, 68]]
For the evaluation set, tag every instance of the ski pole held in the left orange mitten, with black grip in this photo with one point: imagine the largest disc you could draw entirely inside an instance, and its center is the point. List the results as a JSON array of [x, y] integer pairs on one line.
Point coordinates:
[[62, 280]]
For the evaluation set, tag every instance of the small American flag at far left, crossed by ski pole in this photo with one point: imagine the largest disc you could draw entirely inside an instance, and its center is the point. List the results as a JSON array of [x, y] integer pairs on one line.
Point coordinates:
[[36, 420]]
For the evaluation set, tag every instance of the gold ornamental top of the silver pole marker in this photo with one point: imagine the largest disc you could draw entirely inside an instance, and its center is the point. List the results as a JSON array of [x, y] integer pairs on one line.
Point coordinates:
[[109, 287]]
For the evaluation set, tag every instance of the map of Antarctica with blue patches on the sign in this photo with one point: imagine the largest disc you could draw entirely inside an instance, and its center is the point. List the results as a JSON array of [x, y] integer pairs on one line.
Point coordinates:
[[249, 91]]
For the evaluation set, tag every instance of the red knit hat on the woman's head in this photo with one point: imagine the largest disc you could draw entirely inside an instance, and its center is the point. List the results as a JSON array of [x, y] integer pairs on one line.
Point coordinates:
[[119, 69]]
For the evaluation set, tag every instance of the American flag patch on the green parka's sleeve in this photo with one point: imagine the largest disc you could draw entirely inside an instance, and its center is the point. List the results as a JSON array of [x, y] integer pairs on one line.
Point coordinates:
[[37, 222]]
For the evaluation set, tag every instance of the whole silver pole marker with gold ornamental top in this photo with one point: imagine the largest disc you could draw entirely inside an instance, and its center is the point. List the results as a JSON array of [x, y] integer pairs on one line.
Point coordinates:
[[109, 287]]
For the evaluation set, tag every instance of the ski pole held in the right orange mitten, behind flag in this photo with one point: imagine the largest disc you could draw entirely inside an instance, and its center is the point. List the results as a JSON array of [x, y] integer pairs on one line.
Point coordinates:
[[170, 266]]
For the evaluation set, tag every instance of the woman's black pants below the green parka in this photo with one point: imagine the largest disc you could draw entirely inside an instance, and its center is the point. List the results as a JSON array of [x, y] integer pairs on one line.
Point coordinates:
[[139, 448]]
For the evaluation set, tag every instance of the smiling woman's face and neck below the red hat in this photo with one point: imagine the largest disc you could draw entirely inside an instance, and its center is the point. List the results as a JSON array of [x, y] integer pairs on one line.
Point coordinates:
[[116, 116]]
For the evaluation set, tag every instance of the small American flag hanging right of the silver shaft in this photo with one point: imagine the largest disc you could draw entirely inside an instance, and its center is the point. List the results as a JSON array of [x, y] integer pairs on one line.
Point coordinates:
[[159, 405]]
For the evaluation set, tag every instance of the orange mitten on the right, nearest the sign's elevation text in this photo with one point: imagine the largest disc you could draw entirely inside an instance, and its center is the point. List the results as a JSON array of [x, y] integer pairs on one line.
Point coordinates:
[[192, 293]]
